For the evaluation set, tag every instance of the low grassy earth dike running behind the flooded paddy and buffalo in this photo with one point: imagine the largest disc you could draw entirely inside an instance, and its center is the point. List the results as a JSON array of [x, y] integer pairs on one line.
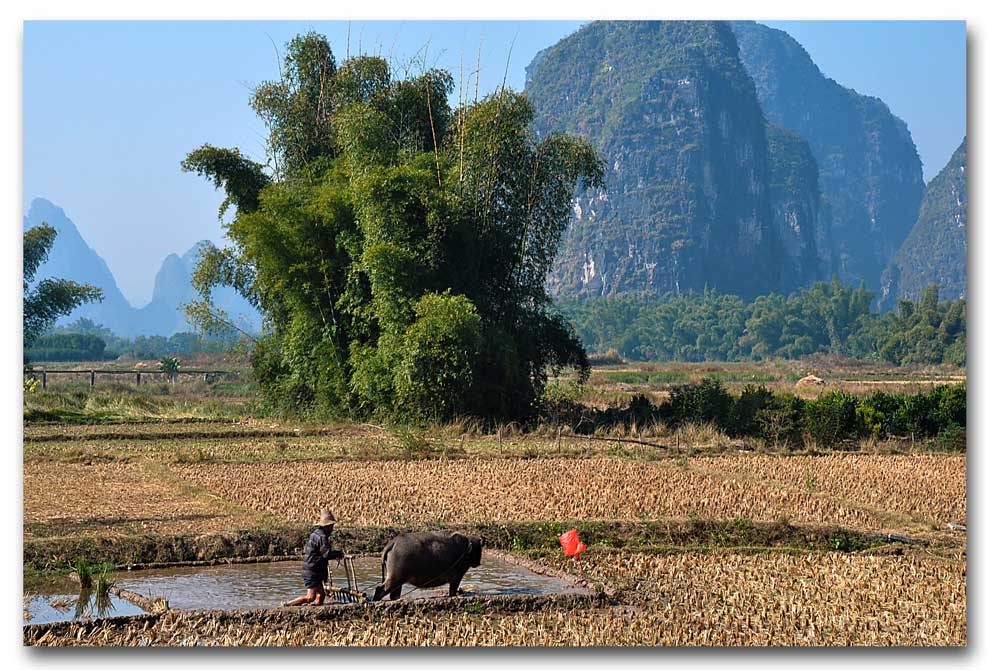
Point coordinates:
[[55, 554]]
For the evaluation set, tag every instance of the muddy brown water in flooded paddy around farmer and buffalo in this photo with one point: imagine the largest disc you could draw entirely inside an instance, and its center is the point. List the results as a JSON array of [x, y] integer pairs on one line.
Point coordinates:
[[257, 585]]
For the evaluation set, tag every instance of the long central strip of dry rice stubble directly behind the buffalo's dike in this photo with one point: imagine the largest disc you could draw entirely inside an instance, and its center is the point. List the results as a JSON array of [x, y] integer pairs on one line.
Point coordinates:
[[473, 489]]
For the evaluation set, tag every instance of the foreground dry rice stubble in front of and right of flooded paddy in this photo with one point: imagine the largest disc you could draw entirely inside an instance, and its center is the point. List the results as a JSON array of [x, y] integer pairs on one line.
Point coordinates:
[[681, 600]]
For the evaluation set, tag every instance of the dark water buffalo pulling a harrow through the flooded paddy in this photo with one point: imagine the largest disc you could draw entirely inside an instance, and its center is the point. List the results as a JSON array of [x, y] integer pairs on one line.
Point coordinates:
[[427, 560]]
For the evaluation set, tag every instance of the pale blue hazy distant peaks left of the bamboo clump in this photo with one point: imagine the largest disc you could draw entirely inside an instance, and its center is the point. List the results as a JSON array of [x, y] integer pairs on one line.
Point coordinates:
[[72, 258]]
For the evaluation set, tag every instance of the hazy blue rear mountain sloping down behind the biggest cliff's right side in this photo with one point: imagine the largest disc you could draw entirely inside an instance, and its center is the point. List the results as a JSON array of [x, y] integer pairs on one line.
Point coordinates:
[[869, 168]]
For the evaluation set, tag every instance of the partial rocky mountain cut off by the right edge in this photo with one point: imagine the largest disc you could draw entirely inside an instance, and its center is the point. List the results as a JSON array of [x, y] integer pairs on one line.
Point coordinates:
[[935, 250]]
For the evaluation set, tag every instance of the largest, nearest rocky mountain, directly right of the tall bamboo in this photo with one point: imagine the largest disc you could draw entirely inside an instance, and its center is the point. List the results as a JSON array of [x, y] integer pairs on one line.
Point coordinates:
[[692, 198]]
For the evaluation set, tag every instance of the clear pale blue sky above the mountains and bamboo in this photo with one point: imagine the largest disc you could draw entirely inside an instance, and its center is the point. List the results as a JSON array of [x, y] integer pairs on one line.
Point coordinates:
[[112, 107]]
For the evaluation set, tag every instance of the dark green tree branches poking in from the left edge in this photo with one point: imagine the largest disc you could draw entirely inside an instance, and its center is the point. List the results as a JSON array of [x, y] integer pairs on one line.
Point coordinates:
[[50, 298]]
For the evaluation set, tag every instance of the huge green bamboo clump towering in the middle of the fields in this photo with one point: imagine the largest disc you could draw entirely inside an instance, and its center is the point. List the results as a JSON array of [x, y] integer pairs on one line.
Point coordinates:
[[397, 246]]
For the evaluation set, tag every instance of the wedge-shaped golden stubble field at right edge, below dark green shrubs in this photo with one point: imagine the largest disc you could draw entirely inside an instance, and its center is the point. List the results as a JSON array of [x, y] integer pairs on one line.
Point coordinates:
[[926, 487]]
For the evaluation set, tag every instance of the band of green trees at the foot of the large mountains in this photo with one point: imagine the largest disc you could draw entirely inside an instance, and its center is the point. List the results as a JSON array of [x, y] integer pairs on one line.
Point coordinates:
[[825, 317]]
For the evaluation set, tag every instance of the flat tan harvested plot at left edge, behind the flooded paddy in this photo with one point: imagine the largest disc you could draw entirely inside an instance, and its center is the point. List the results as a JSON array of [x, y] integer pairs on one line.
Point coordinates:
[[114, 499]]
